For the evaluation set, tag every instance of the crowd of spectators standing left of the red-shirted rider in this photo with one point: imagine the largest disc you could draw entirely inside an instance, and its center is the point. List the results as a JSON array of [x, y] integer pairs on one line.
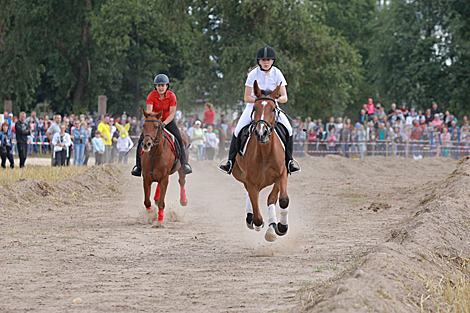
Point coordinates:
[[64, 137]]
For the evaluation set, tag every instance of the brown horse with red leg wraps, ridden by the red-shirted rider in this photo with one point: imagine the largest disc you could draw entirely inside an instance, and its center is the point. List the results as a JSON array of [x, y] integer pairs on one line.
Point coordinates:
[[158, 163]]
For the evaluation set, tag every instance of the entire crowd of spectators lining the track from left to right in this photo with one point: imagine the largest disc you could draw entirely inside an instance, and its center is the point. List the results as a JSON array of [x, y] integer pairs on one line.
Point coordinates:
[[375, 131]]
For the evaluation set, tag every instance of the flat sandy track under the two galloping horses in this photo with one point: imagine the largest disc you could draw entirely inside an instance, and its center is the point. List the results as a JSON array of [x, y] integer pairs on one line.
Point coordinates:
[[85, 238]]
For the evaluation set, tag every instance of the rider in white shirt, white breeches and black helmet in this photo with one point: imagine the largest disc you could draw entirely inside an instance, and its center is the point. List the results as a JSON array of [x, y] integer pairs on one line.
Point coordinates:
[[268, 78]]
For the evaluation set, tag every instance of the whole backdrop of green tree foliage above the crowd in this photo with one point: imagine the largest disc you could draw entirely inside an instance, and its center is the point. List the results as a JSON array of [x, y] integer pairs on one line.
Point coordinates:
[[334, 53]]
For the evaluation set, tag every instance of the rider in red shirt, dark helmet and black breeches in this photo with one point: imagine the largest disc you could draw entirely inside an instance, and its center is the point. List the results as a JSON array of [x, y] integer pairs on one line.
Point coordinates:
[[163, 99]]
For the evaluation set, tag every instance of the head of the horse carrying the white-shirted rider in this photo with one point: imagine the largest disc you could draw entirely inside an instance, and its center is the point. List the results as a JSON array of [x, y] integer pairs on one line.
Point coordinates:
[[264, 113]]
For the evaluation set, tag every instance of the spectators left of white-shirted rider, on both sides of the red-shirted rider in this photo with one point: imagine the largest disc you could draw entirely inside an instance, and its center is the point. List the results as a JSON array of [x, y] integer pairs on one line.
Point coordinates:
[[77, 137]]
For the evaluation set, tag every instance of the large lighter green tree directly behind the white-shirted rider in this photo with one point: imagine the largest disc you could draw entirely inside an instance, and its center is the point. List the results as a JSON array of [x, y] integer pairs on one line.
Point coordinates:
[[322, 69]]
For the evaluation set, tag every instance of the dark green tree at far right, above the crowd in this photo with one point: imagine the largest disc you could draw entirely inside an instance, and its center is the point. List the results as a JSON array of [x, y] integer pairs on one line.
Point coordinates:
[[419, 53]]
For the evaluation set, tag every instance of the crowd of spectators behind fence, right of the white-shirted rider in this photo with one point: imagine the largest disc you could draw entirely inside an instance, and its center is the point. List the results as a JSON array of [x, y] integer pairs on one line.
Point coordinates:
[[377, 131]]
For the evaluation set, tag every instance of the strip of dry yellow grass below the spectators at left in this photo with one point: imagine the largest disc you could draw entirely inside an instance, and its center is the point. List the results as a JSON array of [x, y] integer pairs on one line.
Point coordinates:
[[47, 173]]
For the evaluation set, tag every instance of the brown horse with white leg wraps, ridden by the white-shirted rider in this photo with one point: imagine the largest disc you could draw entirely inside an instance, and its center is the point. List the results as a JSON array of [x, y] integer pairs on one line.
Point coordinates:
[[262, 165]]
